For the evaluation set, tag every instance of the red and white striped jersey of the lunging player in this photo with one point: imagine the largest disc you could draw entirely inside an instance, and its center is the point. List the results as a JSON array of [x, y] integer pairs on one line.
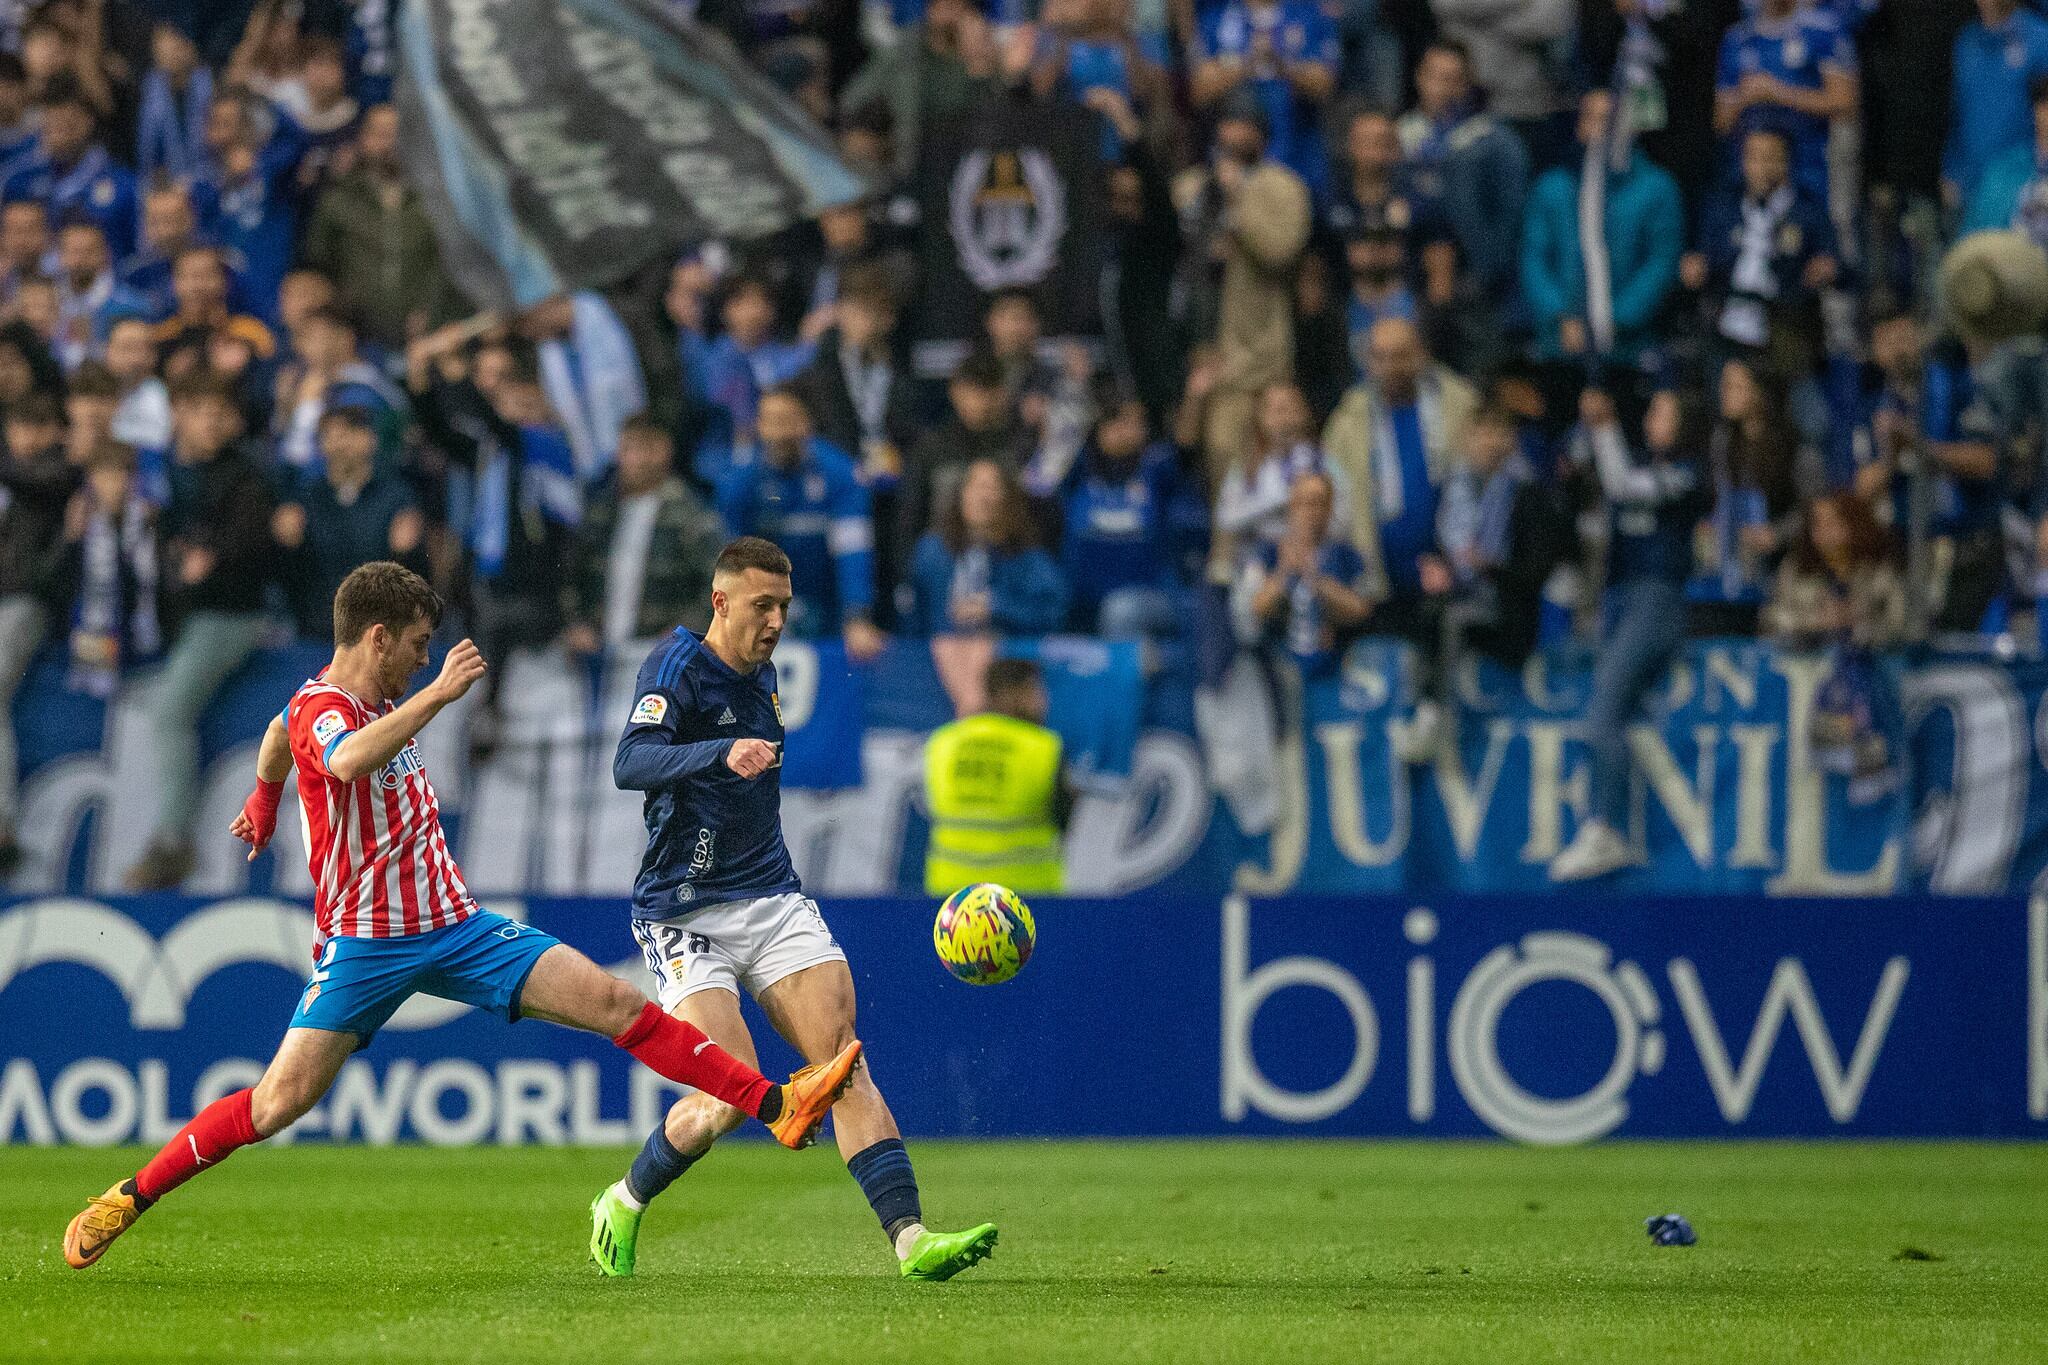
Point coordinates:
[[376, 850]]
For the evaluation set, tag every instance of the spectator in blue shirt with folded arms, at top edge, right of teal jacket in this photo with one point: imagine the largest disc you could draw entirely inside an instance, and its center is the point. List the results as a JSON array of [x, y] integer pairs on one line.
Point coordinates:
[[1793, 71]]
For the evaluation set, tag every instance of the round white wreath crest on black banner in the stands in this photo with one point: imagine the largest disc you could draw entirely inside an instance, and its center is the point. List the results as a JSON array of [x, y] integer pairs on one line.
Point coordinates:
[[1009, 214]]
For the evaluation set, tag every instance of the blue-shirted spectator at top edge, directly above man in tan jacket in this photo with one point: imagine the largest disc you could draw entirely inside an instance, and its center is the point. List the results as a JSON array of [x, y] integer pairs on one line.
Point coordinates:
[[1285, 56]]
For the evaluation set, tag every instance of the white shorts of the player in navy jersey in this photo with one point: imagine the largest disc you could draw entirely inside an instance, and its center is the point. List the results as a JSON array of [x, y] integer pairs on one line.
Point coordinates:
[[734, 944]]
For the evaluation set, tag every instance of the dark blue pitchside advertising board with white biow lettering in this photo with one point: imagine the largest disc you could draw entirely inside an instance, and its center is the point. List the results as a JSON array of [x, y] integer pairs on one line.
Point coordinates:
[[1453, 1018]]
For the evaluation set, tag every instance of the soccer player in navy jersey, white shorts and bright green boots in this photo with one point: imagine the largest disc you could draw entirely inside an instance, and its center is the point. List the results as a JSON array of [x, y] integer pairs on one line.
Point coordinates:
[[718, 908]]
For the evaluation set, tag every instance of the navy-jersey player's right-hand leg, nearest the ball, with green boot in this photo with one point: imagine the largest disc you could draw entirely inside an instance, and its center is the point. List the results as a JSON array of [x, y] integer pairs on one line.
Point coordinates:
[[814, 1010]]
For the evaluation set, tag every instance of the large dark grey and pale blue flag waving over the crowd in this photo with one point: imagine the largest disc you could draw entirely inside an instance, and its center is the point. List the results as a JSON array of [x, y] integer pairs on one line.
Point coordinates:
[[564, 144]]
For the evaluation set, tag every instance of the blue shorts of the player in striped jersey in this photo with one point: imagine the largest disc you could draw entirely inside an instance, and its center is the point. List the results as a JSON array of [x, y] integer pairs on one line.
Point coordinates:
[[359, 983]]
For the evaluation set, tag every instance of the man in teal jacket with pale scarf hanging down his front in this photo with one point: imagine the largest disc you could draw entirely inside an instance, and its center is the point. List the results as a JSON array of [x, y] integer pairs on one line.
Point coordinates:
[[1641, 226]]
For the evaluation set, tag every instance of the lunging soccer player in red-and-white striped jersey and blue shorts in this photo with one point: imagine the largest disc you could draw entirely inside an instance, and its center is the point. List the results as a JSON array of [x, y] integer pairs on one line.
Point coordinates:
[[394, 916]]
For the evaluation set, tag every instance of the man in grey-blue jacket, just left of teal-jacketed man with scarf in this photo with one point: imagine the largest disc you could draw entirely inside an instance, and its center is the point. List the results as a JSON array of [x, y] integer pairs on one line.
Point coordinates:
[[1467, 163]]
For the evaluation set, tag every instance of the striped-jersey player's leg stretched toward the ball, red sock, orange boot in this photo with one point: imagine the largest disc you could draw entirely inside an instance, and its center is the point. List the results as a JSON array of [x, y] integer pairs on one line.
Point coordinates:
[[568, 987]]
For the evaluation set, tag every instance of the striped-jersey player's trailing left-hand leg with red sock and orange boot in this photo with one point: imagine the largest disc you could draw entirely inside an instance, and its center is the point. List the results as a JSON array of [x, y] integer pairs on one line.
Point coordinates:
[[302, 1071]]
